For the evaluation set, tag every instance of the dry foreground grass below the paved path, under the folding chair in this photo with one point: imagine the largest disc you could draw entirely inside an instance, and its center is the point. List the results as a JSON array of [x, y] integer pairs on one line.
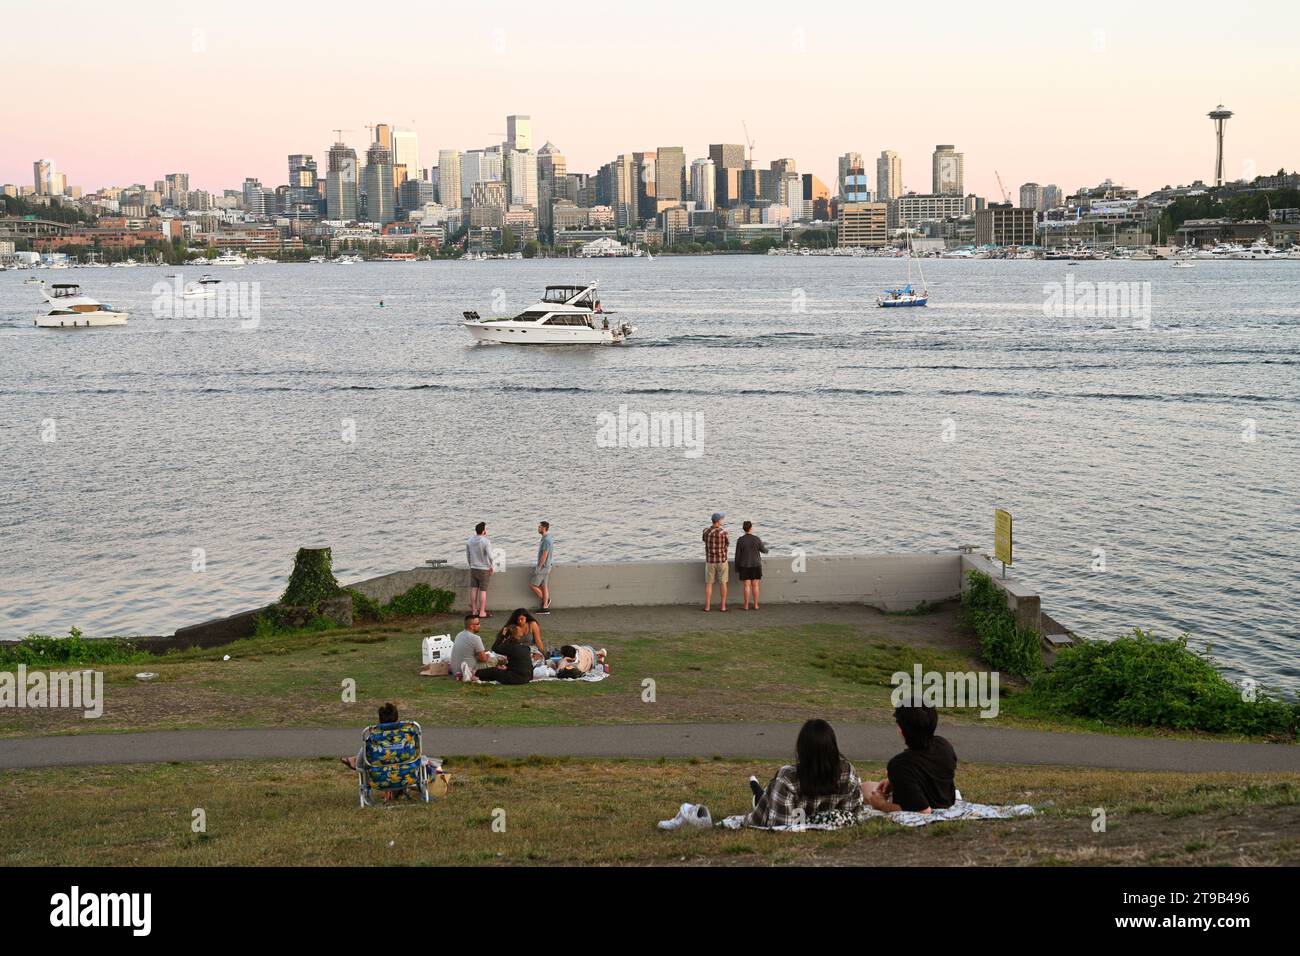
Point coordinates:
[[604, 814]]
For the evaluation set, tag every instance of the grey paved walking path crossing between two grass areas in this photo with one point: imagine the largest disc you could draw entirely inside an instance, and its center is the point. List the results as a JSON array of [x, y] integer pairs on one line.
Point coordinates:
[[861, 742]]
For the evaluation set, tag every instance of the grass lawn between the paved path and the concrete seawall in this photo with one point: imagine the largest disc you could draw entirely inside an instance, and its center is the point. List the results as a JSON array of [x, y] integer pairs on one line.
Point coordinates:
[[783, 665]]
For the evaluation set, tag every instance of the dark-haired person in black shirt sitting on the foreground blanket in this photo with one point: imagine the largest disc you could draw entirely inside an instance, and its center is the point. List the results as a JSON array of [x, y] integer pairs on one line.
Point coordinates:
[[922, 778]]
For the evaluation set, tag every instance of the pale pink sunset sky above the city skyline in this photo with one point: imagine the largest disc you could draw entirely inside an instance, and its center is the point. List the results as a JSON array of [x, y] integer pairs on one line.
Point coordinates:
[[1068, 94]]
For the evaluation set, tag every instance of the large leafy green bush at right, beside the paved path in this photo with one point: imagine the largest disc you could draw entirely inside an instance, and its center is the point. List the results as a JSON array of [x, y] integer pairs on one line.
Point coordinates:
[[1143, 681]]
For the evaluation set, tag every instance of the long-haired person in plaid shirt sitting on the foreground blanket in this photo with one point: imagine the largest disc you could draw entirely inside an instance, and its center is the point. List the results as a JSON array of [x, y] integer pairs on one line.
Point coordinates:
[[821, 780]]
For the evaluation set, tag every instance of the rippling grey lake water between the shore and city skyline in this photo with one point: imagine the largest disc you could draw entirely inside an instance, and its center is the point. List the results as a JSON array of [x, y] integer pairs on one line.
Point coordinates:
[[835, 426]]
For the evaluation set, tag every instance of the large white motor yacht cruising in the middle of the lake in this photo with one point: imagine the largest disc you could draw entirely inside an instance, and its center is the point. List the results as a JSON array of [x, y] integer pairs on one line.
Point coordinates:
[[567, 315]]
